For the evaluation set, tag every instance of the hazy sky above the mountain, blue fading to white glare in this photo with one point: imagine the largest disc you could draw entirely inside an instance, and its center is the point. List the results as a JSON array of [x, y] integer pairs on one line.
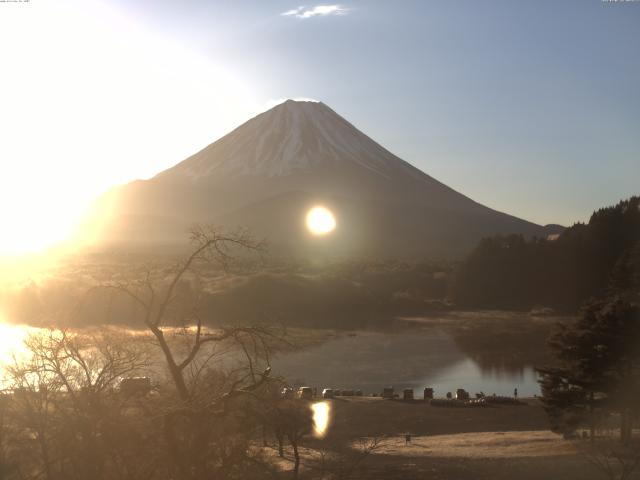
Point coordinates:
[[532, 107]]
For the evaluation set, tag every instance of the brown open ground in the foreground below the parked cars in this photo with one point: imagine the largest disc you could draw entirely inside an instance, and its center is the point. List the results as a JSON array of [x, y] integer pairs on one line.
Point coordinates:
[[502, 442]]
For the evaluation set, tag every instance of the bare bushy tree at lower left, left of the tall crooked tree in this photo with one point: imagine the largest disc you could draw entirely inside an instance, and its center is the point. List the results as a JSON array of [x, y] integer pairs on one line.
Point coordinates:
[[66, 404]]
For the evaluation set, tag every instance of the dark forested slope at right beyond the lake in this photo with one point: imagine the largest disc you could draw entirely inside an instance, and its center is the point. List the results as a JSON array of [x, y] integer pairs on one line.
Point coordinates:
[[583, 262]]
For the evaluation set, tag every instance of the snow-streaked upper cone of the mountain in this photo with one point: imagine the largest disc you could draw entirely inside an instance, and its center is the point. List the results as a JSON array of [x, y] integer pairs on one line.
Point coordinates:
[[293, 136]]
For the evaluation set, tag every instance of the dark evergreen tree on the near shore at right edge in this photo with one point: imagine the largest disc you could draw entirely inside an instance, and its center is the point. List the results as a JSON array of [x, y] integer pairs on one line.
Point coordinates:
[[597, 369]]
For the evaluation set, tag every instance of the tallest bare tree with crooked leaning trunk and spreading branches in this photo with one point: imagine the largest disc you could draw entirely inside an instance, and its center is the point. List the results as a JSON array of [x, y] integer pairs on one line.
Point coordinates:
[[205, 399]]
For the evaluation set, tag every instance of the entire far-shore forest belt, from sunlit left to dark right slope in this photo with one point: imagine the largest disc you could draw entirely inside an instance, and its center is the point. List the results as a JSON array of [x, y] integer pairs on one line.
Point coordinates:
[[501, 273]]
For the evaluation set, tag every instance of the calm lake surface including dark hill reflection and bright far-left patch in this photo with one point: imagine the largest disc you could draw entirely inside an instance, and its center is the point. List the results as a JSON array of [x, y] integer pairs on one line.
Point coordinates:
[[441, 358]]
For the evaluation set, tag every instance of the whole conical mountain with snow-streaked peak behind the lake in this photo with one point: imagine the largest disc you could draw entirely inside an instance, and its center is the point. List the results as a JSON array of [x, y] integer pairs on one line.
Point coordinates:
[[268, 172]]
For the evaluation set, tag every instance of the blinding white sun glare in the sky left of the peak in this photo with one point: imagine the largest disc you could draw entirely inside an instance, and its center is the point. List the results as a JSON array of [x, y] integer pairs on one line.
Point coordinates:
[[106, 114]]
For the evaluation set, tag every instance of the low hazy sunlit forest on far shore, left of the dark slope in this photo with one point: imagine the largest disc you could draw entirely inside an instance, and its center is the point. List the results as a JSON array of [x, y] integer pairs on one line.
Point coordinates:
[[344, 294]]
